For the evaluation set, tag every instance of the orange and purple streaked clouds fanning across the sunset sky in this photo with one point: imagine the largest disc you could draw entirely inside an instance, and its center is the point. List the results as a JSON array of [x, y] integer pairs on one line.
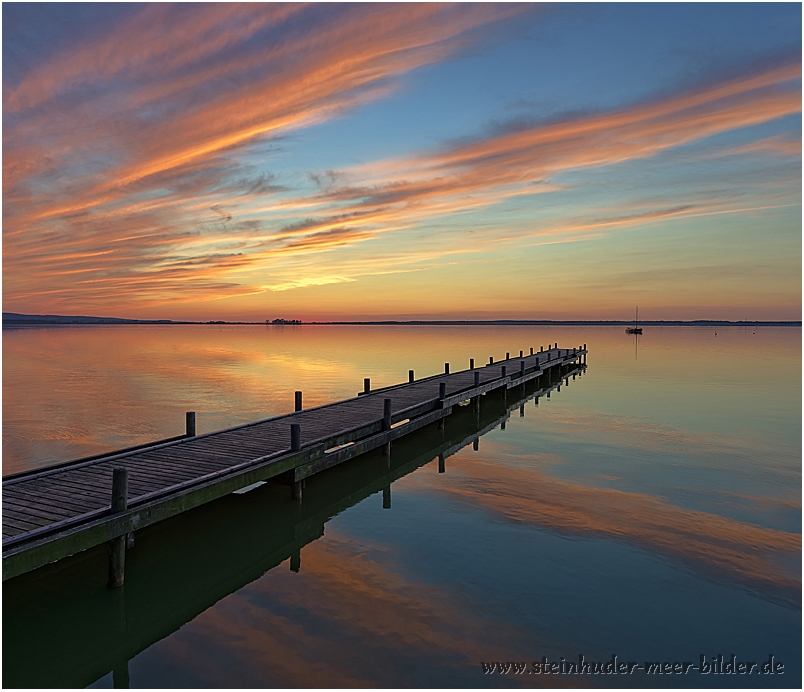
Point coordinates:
[[153, 162]]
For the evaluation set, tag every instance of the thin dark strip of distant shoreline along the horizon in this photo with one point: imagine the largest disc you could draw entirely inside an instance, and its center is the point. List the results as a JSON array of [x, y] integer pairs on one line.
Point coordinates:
[[15, 318]]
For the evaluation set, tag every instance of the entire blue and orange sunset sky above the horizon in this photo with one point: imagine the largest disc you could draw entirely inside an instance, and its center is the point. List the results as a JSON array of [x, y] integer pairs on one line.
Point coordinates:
[[334, 161]]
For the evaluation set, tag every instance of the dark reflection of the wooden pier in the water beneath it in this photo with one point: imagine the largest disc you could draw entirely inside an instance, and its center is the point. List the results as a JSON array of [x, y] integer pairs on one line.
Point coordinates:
[[181, 567]]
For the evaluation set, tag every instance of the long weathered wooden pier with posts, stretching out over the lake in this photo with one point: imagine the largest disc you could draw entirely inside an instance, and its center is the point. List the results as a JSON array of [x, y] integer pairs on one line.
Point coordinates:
[[62, 510]]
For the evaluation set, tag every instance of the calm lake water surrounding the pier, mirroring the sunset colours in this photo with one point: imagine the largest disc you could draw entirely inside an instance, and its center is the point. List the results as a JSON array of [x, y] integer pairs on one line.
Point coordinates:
[[651, 510]]
